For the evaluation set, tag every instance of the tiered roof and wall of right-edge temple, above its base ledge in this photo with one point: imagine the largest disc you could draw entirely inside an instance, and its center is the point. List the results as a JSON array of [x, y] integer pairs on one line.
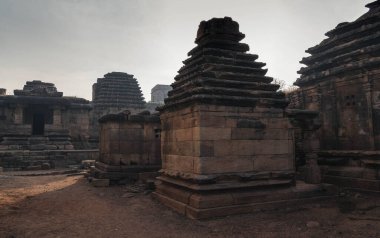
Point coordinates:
[[341, 81]]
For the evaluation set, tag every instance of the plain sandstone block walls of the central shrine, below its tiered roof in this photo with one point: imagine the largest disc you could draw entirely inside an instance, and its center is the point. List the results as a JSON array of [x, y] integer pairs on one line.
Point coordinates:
[[209, 141]]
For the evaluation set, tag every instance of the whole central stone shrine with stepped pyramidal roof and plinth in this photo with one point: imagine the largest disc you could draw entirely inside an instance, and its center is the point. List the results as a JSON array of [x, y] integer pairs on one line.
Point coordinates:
[[226, 143]]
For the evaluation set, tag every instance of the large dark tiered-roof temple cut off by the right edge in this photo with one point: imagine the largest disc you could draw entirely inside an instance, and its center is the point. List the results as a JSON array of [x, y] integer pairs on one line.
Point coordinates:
[[342, 82]]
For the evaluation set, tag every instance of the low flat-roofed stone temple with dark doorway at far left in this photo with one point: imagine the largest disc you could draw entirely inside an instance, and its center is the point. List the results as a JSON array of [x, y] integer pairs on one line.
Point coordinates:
[[39, 118]]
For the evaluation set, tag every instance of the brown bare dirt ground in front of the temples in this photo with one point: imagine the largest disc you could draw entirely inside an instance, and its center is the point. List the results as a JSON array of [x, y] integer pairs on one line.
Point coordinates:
[[68, 206]]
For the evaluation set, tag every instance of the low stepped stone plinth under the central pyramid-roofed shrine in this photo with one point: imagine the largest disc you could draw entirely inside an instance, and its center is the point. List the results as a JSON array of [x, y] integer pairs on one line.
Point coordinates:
[[206, 202]]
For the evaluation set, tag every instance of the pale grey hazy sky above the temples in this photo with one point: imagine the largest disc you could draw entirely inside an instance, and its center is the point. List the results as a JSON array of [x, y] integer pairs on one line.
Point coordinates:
[[71, 43]]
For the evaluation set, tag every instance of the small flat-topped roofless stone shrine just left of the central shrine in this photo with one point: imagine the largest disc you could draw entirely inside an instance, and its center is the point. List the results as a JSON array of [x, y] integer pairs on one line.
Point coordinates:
[[129, 146]]
